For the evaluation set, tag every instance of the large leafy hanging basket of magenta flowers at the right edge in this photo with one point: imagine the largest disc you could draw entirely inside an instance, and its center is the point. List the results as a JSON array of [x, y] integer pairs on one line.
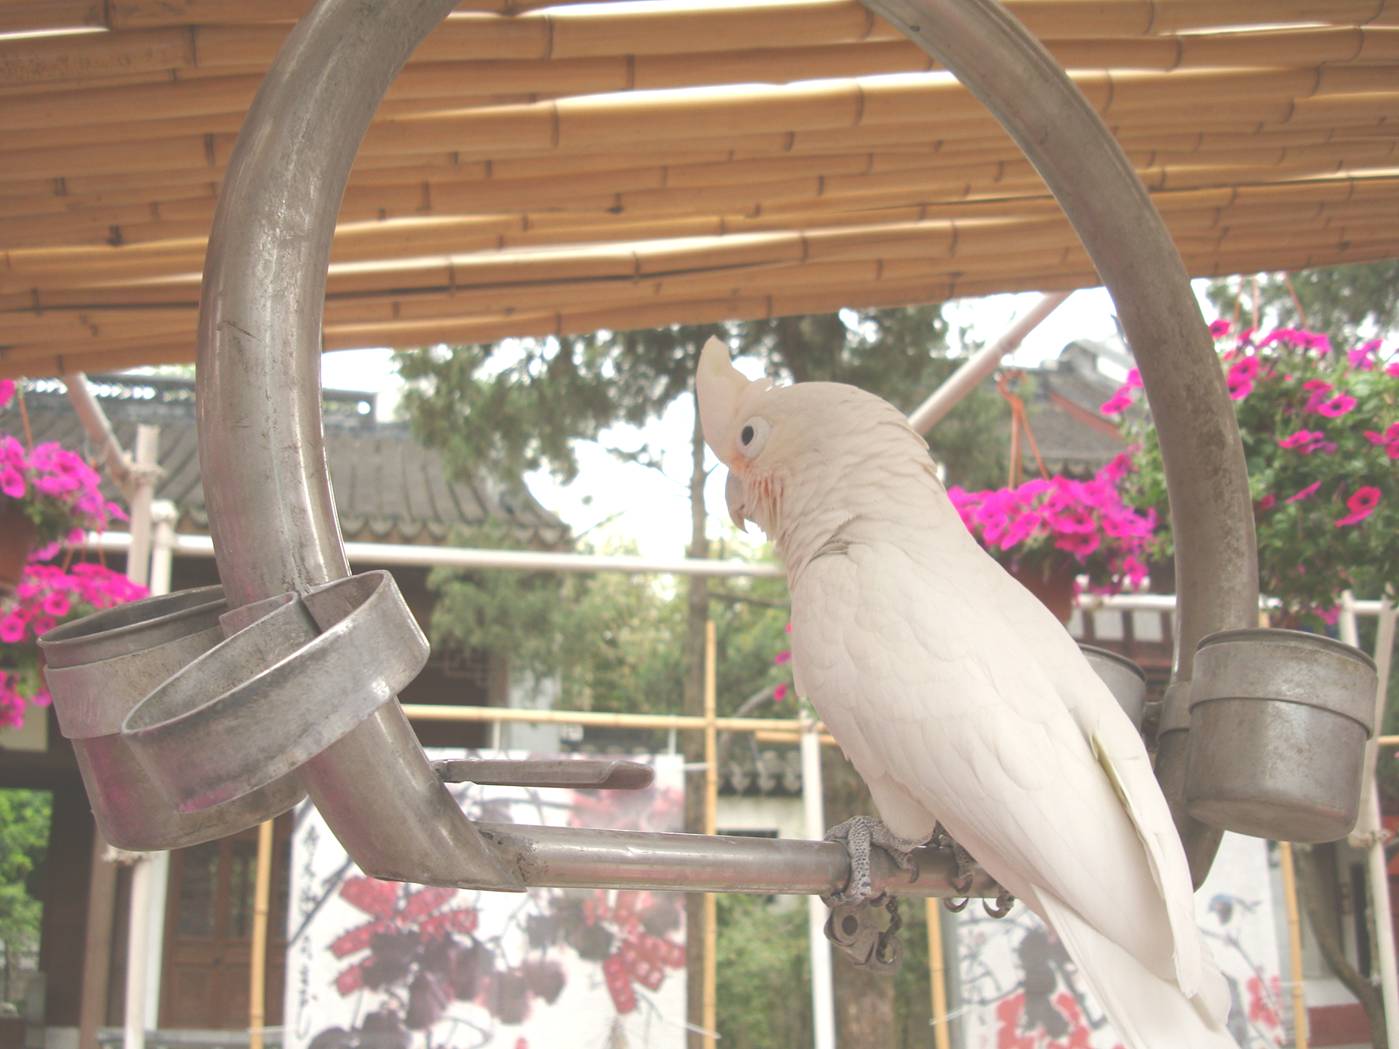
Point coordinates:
[[1320, 430]]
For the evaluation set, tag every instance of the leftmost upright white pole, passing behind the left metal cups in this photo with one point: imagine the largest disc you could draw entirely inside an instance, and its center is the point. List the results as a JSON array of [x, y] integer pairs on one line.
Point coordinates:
[[139, 921]]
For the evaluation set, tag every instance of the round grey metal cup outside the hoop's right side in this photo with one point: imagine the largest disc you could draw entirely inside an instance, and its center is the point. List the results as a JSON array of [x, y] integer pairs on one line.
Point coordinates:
[[1279, 725]]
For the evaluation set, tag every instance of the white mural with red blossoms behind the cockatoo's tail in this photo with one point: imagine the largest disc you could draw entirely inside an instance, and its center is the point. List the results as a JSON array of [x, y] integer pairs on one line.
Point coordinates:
[[1021, 991]]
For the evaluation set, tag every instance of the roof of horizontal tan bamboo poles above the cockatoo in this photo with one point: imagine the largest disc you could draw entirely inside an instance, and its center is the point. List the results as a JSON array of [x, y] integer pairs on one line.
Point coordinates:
[[546, 170]]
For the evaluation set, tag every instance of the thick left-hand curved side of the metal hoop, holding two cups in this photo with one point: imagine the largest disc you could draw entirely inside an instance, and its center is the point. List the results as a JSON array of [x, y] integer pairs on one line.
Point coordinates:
[[258, 405]]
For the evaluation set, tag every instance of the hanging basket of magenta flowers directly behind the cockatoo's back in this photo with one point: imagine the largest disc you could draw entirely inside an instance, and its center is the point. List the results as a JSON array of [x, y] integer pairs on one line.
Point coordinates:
[[1050, 531]]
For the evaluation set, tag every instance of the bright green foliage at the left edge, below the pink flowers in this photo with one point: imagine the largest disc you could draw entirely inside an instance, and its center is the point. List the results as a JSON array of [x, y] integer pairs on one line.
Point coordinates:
[[24, 840]]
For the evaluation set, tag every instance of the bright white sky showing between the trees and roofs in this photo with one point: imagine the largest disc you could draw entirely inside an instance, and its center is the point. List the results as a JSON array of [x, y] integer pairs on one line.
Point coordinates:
[[615, 501]]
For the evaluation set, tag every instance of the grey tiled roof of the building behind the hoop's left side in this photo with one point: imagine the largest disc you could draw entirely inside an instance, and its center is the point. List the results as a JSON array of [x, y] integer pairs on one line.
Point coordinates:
[[388, 487]]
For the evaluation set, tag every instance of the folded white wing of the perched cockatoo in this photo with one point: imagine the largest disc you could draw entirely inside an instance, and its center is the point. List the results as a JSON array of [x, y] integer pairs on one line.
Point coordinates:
[[907, 658]]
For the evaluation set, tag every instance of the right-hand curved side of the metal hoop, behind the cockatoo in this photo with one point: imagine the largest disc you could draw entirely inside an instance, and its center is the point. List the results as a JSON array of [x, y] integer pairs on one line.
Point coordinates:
[[1212, 518]]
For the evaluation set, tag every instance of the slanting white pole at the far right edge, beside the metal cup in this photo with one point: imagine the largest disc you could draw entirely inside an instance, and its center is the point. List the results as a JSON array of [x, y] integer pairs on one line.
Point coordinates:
[[1369, 833]]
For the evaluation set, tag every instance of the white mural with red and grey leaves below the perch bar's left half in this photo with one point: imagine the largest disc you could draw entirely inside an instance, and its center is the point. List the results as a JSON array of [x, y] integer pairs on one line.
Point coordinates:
[[388, 966]]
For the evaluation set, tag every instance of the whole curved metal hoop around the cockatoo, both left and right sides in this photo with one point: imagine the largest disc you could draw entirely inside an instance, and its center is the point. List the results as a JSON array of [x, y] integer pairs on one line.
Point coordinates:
[[262, 450]]
